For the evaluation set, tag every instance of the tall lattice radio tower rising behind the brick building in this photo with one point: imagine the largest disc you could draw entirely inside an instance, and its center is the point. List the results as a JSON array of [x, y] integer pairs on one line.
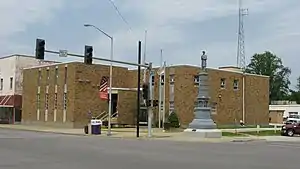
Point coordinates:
[[241, 57]]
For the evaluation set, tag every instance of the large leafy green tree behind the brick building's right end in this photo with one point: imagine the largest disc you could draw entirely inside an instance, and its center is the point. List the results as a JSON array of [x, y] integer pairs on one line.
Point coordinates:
[[270, 65]]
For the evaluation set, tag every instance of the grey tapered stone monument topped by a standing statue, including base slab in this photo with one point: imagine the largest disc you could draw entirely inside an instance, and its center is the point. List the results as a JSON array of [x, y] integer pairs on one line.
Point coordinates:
[[202, 124]]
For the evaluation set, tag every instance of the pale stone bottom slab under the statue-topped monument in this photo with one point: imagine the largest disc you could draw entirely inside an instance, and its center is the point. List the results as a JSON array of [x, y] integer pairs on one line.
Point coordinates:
[[204, 133]]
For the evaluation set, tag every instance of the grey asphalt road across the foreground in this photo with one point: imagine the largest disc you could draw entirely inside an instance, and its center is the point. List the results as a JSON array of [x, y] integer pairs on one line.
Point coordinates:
[[30, 150]]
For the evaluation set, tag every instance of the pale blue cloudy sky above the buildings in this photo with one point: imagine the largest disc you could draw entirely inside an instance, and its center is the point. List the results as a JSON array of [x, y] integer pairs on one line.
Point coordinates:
[[181, 28]]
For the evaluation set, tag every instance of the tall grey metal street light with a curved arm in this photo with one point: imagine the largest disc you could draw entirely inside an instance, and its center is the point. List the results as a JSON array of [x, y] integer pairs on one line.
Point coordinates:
[[110, 73]]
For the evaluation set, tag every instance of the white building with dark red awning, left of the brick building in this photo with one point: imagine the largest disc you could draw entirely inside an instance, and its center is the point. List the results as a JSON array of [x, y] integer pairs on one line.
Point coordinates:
[[11, 85]]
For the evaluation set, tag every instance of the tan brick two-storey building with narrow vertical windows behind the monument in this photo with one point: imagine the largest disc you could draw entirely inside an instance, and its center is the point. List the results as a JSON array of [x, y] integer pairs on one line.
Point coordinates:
[[63, 94]]
